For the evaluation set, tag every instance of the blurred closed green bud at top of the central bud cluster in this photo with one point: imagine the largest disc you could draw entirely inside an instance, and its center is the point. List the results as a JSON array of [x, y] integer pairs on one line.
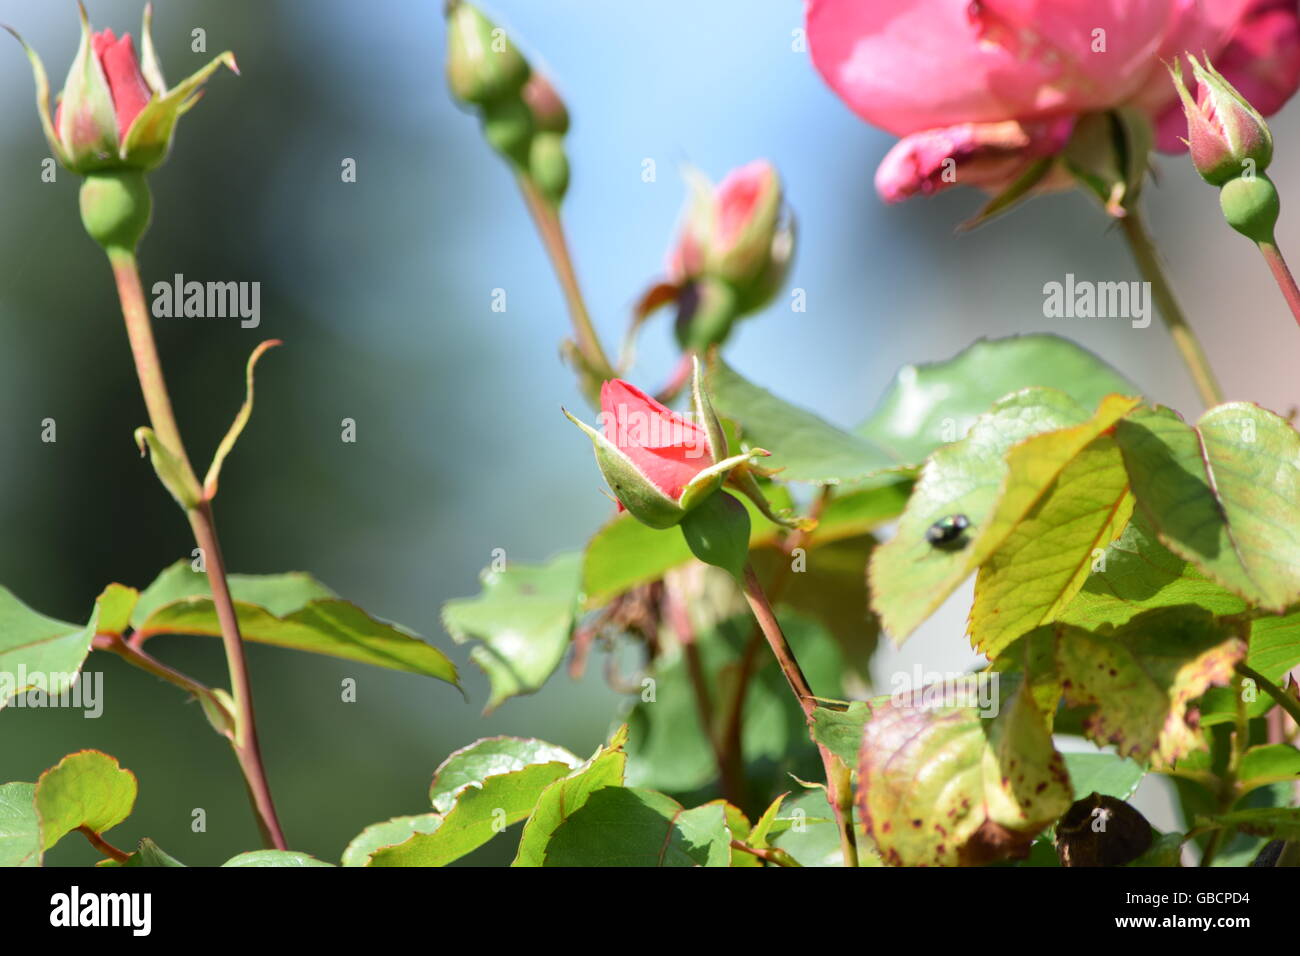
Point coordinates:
[[483, 64]]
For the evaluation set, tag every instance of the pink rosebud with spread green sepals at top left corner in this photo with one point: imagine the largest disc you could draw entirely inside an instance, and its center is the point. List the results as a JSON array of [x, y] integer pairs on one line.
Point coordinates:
[[115, 111]]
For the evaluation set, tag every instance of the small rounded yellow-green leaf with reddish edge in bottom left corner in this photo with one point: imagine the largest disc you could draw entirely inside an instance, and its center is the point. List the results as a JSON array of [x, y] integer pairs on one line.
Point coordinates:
[[86, 789]]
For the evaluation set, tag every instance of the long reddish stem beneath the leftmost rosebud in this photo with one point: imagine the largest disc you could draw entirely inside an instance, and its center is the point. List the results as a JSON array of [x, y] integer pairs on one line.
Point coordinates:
[[149, 369]]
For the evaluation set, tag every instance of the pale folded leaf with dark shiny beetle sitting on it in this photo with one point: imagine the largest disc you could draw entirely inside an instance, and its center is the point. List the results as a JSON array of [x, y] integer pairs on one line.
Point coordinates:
[[993, 478]]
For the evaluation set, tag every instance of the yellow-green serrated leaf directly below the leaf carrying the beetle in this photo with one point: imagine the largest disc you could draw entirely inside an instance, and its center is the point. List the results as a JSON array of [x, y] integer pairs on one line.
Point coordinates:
[[1050, 555]]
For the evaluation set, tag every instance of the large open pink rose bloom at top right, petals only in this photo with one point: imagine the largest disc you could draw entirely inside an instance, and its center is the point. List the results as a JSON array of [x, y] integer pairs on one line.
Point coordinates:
[[939, 72]]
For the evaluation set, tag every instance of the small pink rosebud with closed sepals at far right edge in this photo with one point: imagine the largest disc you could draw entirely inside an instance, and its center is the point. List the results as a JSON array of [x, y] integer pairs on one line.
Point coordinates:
[[1225, 135]]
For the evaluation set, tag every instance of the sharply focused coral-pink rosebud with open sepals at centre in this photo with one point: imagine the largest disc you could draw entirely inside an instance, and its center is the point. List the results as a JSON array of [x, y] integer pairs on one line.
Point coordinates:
[[660, 465]]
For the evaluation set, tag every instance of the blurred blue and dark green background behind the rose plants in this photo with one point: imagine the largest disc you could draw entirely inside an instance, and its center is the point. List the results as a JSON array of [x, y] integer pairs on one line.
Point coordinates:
[[383, 293]]
